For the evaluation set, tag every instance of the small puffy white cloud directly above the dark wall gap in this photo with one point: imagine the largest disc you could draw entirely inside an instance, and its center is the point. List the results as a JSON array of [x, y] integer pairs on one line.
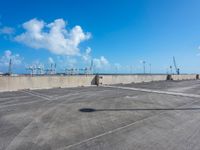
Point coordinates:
[[101, 62]]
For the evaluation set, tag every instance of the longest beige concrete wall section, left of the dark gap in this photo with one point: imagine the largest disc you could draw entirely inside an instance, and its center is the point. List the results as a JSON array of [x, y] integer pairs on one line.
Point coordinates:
[[8, 83]]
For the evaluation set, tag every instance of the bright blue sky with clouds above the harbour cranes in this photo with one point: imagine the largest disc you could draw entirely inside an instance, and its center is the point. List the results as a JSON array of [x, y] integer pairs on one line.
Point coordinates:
[[118, 33]]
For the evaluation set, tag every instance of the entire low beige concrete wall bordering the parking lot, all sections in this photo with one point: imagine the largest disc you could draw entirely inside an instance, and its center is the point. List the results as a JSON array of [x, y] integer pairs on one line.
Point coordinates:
[[8, 83]]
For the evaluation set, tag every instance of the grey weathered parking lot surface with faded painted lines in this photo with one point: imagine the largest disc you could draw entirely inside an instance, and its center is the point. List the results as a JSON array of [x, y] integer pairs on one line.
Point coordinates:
[[162, 115]]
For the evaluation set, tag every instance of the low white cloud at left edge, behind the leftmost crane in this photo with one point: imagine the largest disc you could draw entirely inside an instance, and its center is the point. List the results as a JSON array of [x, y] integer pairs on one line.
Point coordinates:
[[5, 59]]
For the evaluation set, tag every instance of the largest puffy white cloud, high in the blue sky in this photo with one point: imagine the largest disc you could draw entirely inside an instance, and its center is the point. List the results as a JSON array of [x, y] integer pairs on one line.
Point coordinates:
[[53, 37]]
